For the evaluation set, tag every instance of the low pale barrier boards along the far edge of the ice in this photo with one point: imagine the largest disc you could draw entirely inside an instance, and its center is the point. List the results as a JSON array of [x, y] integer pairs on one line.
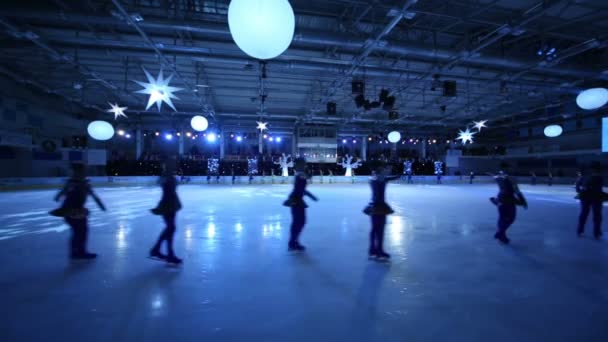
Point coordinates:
[[8, 184]]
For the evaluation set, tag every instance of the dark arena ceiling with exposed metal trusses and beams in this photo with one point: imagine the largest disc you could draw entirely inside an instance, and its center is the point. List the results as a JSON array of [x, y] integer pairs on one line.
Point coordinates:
[[509, 58]]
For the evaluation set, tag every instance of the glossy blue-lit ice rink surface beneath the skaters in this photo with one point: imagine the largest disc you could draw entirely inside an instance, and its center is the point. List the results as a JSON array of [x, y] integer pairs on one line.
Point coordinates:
[[448, 280]]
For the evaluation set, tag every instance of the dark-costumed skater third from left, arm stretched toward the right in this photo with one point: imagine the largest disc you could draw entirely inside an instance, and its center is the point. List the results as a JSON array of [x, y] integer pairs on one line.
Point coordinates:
[[298, 206]]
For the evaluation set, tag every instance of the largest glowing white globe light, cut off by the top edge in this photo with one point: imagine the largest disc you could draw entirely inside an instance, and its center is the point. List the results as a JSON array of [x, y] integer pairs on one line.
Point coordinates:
[[263, 29]]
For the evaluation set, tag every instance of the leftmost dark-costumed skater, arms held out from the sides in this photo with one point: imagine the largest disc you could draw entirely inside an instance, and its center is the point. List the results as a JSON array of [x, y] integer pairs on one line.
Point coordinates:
[[76, 191]]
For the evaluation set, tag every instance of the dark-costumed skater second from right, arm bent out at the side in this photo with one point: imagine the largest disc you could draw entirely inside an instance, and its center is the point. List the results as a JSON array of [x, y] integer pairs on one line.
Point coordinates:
[[508, 198]]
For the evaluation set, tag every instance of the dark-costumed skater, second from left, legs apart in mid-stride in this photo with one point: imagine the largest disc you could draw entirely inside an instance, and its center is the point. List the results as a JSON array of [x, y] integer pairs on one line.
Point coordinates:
[[168, 207]]
